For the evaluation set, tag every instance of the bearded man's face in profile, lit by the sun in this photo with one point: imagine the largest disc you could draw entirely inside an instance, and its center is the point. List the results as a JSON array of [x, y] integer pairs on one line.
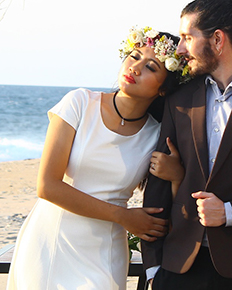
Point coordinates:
[[196, 48]]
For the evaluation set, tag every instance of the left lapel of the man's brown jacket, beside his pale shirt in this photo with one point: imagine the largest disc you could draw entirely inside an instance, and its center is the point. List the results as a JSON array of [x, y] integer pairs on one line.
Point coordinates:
[[199, 127]]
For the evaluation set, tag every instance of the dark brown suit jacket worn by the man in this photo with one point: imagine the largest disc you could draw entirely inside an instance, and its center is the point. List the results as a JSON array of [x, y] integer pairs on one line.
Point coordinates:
[[184, 122]]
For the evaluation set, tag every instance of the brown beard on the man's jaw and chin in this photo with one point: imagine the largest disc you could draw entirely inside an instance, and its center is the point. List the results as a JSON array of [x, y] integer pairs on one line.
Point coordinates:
[[206, 62]]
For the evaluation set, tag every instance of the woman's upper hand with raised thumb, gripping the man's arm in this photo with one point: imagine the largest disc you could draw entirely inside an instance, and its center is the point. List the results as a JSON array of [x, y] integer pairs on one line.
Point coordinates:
[[168, 167]]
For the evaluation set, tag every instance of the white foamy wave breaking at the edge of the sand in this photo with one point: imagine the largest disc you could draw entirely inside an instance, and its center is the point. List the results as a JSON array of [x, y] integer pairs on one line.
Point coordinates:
[[19, 149]]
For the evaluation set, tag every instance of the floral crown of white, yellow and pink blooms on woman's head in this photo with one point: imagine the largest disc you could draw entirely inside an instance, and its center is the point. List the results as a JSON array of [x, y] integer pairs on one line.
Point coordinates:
[[164, 48]]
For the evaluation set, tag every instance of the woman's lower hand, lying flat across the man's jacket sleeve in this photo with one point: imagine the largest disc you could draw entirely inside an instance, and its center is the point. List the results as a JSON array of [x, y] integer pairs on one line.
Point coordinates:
[[141, 223]]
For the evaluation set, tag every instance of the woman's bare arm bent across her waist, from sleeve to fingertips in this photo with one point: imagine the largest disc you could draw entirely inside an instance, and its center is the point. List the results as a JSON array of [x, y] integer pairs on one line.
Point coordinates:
[[51, 187]]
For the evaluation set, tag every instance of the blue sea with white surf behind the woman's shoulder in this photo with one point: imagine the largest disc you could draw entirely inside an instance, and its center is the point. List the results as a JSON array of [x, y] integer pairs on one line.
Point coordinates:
[[23, 118]]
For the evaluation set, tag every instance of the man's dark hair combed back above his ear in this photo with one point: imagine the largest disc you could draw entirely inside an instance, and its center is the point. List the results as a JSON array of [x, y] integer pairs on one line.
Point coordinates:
[[212, 15]]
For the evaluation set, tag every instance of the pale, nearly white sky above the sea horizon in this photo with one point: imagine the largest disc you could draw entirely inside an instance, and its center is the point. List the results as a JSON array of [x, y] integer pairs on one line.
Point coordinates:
[[74, 42]]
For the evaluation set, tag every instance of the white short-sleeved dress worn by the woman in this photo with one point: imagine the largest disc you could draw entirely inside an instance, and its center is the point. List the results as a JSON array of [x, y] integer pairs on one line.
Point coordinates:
[[59, 250]]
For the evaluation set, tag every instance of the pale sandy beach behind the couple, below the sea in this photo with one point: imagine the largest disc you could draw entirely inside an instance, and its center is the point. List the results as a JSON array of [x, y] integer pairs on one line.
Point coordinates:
[[17, 197]]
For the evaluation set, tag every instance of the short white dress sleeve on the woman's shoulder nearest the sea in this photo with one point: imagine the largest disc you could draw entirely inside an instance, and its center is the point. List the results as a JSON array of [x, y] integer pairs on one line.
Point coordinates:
[[70, 107]]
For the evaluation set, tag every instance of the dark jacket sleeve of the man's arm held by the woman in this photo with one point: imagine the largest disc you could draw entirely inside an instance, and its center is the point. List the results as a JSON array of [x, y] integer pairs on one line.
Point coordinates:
[[158, 192]]
